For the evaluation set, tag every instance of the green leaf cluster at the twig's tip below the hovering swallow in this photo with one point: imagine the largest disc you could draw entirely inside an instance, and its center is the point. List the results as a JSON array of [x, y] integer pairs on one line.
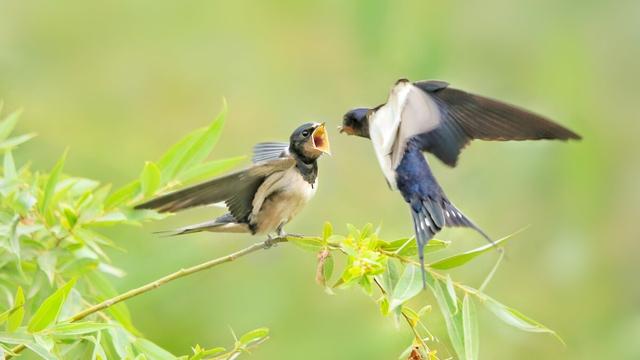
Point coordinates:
[[388, 272]]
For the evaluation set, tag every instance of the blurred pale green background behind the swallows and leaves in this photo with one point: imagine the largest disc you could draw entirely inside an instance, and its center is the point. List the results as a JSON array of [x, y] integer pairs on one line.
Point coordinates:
[[118, 82]]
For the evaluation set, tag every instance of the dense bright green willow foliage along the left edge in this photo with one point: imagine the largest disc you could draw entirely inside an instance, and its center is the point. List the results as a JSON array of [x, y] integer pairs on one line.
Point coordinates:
[[54, 256]]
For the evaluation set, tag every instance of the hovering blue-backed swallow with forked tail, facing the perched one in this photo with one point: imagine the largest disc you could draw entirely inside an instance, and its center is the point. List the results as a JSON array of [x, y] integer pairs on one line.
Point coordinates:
[[431, 116]]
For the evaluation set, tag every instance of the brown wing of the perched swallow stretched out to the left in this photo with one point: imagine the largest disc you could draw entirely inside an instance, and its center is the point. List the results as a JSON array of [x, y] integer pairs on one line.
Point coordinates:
[[236, 189]]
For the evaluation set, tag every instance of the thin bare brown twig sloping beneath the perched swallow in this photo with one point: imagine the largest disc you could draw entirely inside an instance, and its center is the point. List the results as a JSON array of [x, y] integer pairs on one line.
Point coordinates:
[[156, 284]]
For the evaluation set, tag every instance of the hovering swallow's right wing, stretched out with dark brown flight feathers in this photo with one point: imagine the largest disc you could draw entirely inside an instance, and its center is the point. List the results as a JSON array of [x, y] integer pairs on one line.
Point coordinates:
[[454, 117]]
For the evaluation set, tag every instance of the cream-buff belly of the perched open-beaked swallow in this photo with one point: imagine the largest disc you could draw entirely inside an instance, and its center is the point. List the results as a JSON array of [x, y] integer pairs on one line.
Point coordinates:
[[287, 199]]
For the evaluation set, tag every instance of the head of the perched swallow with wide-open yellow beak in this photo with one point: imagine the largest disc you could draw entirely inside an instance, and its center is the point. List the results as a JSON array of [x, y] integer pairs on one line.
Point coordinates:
[[309, 141]]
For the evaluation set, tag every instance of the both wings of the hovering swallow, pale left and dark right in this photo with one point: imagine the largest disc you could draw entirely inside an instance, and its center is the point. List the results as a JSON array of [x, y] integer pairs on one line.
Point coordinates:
[[443, 120]]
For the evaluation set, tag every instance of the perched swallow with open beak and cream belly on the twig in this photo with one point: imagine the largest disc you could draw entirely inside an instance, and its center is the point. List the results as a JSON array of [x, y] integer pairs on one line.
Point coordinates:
[[262, 198]]
